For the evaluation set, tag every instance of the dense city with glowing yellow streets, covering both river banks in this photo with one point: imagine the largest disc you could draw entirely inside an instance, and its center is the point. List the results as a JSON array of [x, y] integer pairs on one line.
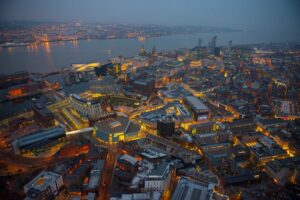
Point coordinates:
[[211, 122]]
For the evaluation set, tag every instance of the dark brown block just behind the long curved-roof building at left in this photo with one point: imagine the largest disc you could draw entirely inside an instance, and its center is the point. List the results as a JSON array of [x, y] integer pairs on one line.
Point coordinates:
[[43, 115]]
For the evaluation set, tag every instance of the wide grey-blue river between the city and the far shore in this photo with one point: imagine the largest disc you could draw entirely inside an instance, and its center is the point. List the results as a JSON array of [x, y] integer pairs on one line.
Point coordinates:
[[52, 56]]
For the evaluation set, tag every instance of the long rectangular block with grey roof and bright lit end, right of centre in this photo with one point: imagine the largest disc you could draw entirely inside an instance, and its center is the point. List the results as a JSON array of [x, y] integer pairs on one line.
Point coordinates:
[[199, 110]]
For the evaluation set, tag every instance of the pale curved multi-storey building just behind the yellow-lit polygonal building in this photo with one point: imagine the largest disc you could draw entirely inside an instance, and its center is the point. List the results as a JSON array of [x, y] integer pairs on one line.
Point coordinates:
[[93, 110]]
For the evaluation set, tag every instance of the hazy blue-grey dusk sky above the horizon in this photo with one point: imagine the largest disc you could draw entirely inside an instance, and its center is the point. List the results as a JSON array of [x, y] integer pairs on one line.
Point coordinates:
[[245, 14]]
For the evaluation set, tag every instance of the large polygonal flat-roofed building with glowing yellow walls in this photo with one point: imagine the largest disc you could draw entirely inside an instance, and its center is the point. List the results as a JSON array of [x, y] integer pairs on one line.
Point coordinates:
[[116, 129]]
